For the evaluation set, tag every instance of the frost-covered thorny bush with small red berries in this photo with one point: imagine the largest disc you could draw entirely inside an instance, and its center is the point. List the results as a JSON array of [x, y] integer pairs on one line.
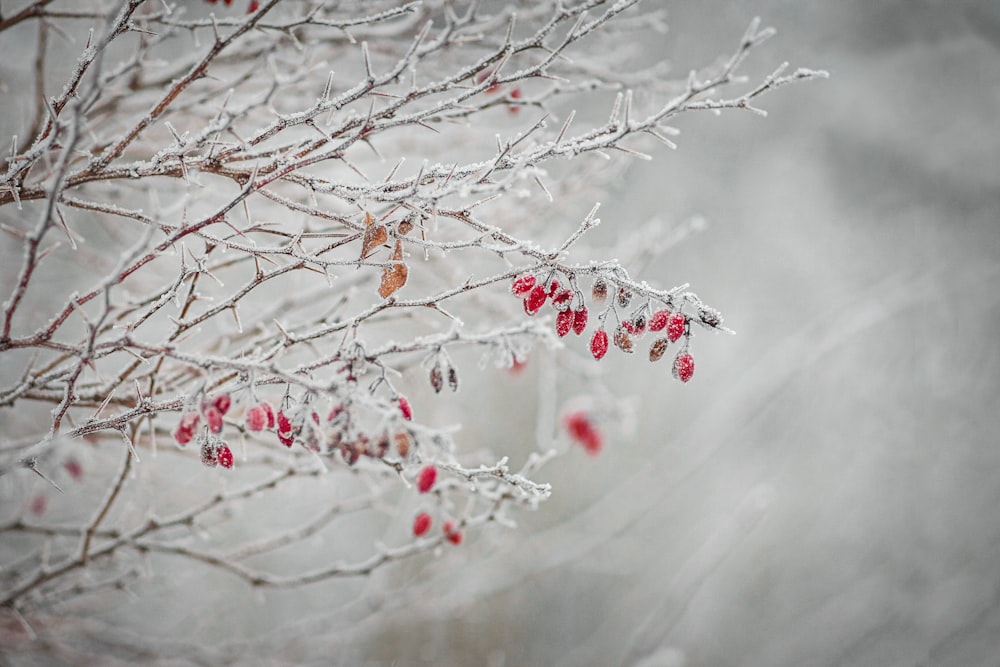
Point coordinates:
[[257, 225]]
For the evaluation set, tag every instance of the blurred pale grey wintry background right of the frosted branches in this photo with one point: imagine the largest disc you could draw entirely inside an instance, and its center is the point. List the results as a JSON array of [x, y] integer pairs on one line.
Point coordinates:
[[825, 491]]
